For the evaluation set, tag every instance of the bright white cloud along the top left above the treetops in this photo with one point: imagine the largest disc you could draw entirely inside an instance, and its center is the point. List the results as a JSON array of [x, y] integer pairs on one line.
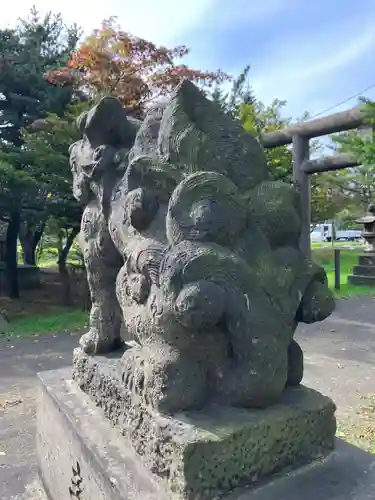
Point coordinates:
[[162, 21]]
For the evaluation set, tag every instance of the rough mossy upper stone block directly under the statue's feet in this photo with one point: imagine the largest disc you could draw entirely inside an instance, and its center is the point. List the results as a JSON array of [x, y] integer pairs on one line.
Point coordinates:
[[205, 453]]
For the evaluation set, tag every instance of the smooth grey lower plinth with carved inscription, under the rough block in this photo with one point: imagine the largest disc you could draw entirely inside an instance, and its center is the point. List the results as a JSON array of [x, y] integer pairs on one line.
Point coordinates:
[[70, 430]]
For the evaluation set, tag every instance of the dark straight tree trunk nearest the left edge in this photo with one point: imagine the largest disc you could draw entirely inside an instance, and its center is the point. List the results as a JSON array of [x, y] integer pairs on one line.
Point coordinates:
[[11, 255]]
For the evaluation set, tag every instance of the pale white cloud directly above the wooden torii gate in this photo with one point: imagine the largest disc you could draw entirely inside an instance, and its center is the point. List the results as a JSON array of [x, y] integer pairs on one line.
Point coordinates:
[[313, 73]]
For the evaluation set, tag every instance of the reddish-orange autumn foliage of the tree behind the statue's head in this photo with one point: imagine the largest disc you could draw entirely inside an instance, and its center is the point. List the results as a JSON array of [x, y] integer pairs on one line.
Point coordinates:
[[113, 62]]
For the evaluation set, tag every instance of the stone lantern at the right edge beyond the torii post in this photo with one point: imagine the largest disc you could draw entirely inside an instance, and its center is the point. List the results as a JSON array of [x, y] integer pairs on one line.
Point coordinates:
[[364, 272]]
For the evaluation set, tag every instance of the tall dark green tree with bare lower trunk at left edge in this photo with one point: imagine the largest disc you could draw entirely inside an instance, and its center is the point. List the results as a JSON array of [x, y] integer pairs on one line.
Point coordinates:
[[33, 47]]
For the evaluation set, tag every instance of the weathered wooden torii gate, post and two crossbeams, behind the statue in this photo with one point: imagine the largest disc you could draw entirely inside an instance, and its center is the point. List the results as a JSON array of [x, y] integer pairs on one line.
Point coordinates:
[[299, 136]]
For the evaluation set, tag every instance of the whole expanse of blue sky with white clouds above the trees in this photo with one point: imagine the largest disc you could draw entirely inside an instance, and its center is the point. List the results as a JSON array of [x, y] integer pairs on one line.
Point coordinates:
[[312, 54]]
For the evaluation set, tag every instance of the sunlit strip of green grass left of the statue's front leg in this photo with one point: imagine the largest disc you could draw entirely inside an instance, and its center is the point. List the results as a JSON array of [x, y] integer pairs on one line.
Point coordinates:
[[57, 322]]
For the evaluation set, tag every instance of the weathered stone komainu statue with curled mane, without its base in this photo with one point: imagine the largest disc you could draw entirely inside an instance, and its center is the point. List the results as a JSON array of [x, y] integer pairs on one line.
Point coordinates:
[[189, 244]]
